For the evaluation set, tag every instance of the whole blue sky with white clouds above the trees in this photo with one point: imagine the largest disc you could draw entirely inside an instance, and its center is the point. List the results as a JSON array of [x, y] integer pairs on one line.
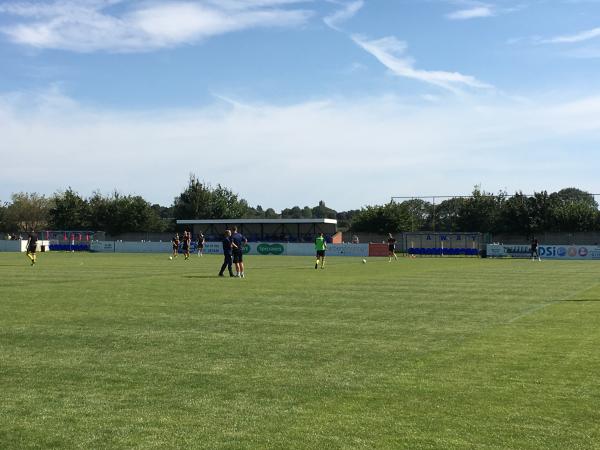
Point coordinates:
[[290, 102]]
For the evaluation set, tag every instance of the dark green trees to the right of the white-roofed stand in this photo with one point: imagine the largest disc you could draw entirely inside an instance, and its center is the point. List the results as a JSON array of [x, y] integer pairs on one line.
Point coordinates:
[[568, 210]]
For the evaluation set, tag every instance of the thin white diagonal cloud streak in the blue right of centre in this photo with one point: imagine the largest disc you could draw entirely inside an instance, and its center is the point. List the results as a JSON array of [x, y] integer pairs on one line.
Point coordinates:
[[391, 52]]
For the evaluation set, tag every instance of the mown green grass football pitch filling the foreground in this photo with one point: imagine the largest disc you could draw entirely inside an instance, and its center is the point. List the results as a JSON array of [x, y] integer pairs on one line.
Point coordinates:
[[136, 351]]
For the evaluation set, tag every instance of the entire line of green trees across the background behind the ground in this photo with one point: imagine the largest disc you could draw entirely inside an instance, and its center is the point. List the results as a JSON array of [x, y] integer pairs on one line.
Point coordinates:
[[568, 210]]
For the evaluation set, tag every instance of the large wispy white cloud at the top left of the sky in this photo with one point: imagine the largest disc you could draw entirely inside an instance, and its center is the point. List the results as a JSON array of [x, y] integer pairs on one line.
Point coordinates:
[[88, 26]]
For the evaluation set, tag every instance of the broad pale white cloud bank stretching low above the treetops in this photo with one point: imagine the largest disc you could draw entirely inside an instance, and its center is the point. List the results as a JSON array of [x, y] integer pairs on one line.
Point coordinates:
[[363, 150]]
